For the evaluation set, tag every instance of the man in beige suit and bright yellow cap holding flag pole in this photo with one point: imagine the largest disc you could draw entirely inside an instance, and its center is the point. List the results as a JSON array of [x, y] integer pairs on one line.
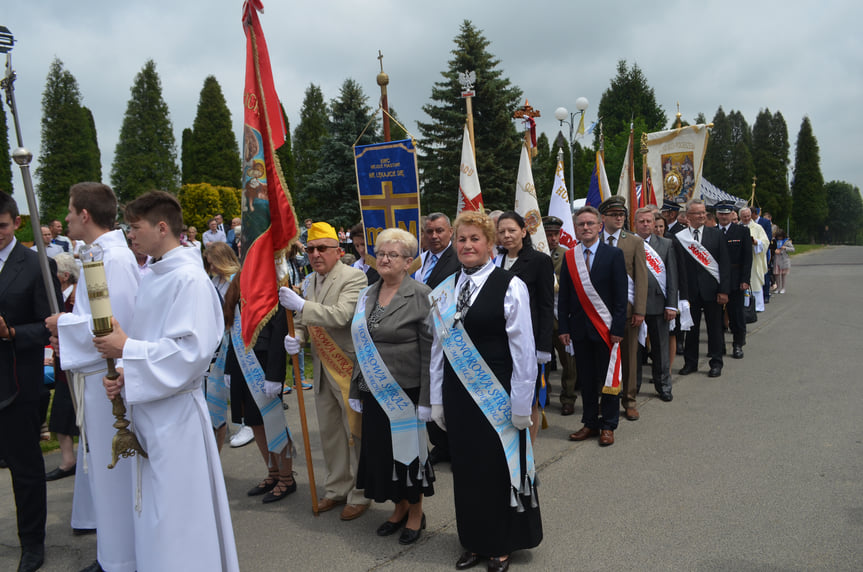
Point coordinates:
[[324, 315]]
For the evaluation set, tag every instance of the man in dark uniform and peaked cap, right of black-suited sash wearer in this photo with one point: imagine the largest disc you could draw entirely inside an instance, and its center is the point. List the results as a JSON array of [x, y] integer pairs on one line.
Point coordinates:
[[739, 243]]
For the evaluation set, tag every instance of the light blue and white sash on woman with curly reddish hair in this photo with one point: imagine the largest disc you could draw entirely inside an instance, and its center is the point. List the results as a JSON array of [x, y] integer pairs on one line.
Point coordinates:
[[482, 385]]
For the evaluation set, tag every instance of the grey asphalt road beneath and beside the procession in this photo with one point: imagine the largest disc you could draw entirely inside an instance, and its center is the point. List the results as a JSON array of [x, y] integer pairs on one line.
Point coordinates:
[[761, 469]]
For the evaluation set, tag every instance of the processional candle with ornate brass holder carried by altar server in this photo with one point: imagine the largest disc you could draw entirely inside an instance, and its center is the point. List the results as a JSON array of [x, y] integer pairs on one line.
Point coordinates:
[[125, 443]]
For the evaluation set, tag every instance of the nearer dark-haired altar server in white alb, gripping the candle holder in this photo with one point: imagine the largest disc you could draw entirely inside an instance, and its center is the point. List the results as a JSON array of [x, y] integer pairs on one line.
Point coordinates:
[[182, 520]]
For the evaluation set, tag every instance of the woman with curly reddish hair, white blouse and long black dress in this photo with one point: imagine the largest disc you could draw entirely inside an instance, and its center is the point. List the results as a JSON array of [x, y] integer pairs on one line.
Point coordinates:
[[495, 516]]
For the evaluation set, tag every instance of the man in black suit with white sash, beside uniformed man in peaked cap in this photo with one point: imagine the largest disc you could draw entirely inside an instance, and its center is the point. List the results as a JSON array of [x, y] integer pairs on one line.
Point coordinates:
[[708, 280]]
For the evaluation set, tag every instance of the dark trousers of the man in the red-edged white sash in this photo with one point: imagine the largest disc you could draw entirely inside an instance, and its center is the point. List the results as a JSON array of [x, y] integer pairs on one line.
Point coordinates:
[[591, 362]]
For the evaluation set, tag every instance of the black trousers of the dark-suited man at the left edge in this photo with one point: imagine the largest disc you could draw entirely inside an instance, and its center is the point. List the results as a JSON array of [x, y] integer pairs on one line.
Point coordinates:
[[20, 425]]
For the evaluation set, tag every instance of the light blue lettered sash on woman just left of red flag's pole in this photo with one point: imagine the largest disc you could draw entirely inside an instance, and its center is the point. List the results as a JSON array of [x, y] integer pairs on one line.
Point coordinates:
[[275, 426]]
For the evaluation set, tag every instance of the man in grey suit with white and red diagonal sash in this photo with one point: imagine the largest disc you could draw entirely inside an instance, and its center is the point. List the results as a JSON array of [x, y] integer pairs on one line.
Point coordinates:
[[661, 299]]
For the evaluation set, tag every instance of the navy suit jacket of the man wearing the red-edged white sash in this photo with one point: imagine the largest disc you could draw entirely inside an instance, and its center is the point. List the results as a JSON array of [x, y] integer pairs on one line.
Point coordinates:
[[608, 276]]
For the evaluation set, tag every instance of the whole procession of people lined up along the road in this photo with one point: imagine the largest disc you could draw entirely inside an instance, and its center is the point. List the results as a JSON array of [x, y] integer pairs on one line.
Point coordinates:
[[432, 351]]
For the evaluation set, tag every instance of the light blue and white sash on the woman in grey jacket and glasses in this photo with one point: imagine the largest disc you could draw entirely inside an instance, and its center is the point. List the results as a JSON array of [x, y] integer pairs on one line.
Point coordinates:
[[408, 433]]
